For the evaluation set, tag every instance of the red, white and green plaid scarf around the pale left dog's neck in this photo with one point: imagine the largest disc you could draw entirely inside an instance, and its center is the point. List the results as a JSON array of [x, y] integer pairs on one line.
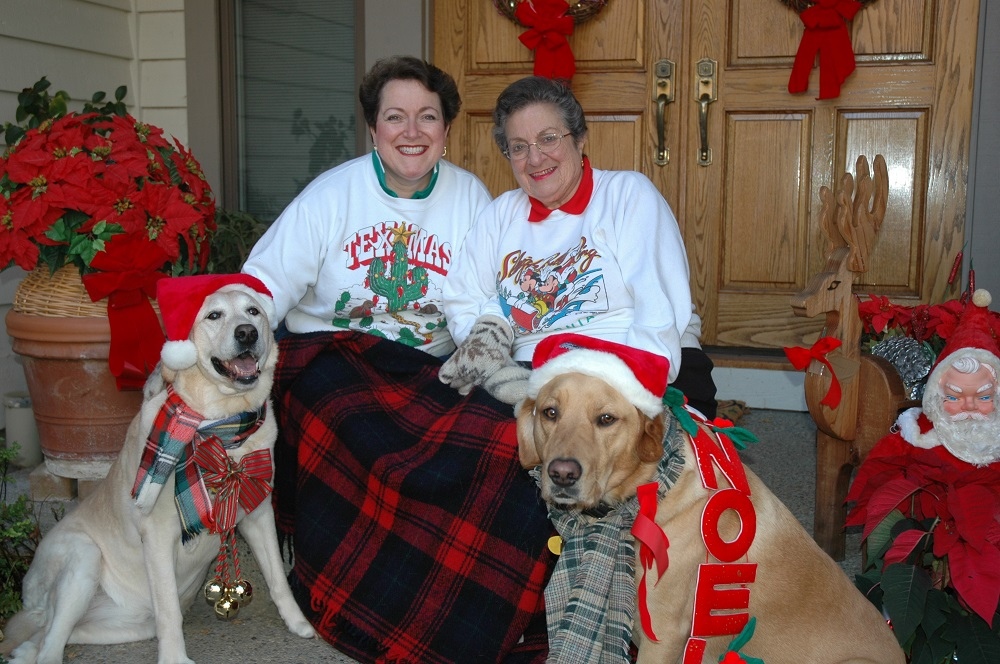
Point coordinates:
[[170, 446]]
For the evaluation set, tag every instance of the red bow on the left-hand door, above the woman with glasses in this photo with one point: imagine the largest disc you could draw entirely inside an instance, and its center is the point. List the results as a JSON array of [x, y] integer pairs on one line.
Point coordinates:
[[549, 27]]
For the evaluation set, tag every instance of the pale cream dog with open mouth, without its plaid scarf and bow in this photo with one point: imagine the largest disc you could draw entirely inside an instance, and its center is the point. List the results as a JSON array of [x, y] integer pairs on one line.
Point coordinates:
[[113, 570]]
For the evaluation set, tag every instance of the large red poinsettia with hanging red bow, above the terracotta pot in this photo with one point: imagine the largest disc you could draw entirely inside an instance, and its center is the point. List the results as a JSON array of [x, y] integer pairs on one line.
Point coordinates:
[[110, 195]]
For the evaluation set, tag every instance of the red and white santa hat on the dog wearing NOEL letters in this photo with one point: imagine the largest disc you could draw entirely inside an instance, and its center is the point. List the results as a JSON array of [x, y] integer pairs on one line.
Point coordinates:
[[640, 376]]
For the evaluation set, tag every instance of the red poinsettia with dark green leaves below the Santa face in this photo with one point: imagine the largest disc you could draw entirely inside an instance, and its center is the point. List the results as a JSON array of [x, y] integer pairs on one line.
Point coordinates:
[[932, 544]]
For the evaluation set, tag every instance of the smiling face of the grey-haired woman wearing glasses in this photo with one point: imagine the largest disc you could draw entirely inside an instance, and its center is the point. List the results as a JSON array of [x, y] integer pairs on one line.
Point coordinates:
[[552, 178]]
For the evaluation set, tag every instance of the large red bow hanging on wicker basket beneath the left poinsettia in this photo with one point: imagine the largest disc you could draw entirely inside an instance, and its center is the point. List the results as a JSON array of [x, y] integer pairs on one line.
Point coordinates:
[[127, 277]]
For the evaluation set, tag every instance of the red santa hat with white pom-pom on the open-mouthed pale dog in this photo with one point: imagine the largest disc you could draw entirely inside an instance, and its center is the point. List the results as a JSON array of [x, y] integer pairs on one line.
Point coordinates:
[[181, 298]]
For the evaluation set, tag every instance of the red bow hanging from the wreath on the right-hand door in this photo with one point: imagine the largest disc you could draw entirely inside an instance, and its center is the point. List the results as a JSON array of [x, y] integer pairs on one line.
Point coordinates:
[[826, 34]]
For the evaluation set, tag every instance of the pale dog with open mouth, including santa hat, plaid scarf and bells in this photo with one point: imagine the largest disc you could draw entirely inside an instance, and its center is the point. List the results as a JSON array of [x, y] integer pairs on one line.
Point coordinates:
[[195, 466]]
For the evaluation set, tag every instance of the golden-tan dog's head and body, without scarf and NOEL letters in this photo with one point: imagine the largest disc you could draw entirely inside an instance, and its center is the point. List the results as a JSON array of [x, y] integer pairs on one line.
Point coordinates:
[[593, 445]]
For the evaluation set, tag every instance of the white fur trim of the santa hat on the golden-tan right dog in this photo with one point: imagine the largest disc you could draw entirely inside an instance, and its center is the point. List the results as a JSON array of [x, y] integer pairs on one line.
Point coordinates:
[[606, 366]]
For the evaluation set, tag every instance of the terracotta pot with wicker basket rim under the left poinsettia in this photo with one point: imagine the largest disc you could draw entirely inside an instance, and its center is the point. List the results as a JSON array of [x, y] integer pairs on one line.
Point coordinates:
[[64, 339]]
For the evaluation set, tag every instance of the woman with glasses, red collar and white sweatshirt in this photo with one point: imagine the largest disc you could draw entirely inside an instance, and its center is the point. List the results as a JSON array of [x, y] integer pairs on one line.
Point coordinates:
[[573, 249]]
